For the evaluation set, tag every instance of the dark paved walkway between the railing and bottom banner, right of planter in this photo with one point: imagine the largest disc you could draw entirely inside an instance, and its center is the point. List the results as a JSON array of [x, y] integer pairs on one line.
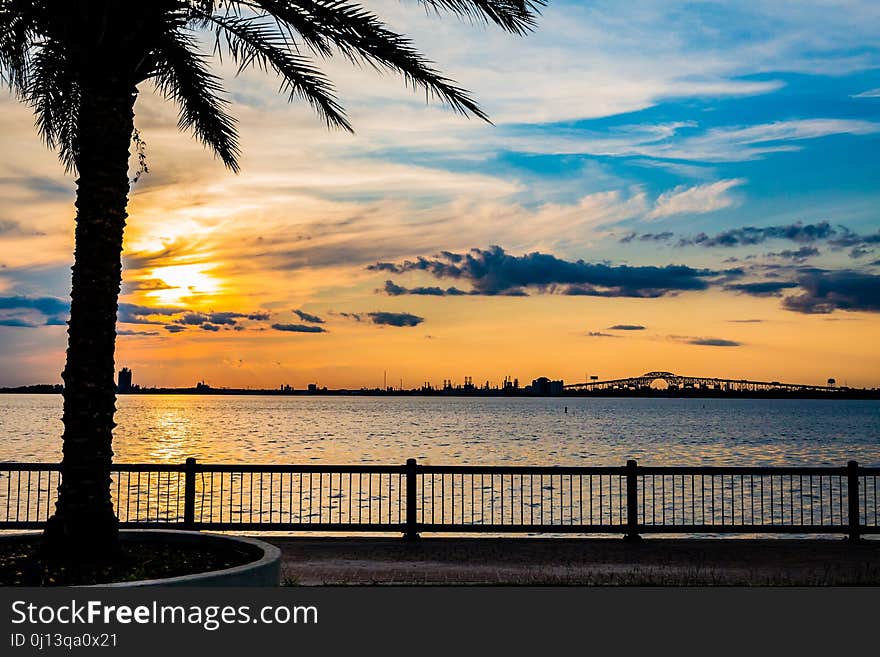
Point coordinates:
[[577, 561]]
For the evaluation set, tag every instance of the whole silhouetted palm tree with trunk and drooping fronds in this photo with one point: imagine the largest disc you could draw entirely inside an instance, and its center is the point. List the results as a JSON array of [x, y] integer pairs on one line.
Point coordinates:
[[79, 65]]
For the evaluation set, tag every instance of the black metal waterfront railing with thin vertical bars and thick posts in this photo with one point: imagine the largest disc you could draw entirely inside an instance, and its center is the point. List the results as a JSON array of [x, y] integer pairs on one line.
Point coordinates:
[[412, 498]]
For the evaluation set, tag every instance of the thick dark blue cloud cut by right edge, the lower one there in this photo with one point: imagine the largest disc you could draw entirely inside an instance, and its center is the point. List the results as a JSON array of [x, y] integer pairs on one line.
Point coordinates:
[[825, 292]]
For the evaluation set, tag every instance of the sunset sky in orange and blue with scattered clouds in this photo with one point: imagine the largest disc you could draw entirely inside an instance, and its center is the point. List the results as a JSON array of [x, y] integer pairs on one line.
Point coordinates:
[[683, 186]]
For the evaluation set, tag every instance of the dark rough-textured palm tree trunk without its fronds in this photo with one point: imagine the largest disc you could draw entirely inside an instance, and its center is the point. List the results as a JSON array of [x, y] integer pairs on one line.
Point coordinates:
[[84, 522]]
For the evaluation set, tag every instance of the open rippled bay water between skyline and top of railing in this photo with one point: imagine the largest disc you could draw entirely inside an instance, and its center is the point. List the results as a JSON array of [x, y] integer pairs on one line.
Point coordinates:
[[462, 431]]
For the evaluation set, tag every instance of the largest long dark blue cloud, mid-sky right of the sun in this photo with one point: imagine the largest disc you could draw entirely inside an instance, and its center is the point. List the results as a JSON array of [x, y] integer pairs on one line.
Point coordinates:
[[494, 272]]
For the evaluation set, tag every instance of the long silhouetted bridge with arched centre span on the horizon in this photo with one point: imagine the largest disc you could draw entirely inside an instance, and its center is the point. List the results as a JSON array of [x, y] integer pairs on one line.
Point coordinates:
[[679, 382]]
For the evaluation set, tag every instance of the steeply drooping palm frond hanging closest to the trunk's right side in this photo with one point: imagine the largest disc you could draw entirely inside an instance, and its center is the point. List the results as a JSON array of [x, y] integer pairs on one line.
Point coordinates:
[[181, 74]]
